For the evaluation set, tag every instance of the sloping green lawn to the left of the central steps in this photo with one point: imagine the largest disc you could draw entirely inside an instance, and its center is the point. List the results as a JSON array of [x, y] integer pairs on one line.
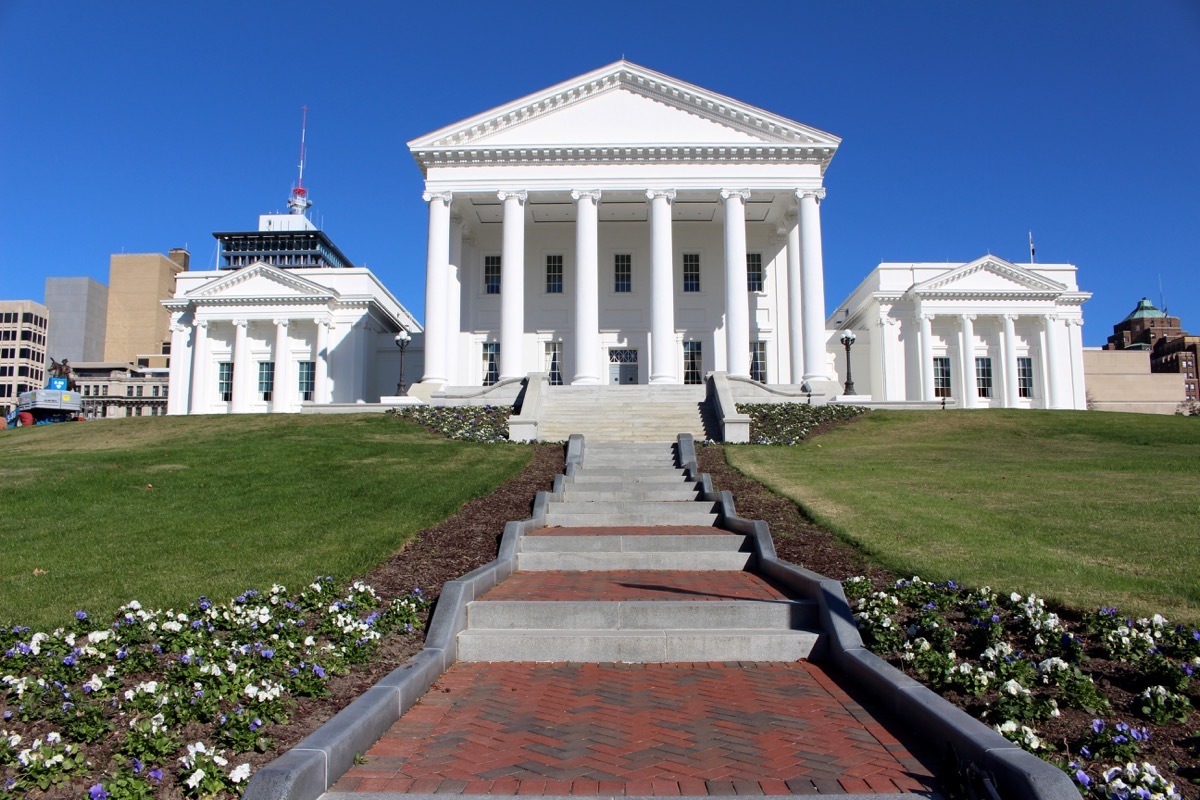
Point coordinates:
[[166, 509]]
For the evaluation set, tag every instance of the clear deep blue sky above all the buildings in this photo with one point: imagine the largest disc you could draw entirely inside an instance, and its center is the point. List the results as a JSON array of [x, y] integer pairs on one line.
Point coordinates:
[[142, 127]]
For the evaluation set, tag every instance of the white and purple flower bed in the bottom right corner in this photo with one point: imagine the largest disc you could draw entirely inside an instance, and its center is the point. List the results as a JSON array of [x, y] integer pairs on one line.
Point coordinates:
[[1107, 699]]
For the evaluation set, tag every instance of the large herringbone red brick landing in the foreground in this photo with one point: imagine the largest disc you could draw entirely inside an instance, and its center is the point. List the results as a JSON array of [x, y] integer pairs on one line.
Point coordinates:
[[764, 729]]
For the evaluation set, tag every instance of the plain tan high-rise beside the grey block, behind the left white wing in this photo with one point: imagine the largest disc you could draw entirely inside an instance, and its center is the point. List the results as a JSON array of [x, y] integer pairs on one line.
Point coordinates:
[[137, 328]]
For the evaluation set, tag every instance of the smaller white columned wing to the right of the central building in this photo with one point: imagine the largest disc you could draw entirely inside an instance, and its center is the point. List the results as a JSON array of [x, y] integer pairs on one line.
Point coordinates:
[[988, 334]]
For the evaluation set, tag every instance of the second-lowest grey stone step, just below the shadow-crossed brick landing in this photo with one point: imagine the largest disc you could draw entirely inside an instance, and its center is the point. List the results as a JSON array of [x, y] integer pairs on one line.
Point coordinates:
[[640, 615]]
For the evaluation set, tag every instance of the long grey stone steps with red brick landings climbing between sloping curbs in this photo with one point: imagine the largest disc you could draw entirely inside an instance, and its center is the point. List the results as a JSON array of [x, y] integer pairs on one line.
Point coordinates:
[[633, 570]]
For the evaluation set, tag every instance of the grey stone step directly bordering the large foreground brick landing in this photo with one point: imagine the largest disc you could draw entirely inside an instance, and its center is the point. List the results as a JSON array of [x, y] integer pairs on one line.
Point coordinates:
[[637, 646]]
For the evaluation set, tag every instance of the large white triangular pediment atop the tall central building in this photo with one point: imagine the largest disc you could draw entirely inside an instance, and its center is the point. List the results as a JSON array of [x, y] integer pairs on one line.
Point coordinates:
[[626, 106]]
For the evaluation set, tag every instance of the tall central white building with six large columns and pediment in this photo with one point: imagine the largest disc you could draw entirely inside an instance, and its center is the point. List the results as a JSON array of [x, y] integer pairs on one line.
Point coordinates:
[[625, 227]]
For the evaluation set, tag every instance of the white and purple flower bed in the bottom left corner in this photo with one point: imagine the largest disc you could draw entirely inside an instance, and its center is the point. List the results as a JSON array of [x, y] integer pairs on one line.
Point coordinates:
[[158, 702]]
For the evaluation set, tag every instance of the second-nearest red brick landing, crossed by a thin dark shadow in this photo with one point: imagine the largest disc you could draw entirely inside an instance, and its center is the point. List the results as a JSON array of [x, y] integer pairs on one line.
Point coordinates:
[[635, 585]]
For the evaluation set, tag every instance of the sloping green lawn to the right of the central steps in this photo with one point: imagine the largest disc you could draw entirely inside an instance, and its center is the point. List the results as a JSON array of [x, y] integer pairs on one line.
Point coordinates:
[[1083, 508]]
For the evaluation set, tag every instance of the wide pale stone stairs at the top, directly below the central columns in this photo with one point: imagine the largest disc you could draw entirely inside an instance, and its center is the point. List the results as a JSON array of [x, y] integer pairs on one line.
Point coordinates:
[[623, 414]]
